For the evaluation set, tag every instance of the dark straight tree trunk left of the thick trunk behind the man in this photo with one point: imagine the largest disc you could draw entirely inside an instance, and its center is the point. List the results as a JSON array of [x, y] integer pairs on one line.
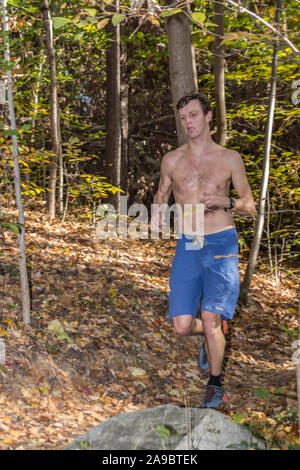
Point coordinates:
[[113, 110]]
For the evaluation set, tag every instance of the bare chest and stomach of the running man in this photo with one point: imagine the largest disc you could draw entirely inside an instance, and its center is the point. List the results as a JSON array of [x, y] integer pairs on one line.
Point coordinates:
[[193, 175]]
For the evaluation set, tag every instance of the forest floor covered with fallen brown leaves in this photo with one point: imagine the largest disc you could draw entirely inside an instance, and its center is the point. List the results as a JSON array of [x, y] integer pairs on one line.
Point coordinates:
[[118, 351]]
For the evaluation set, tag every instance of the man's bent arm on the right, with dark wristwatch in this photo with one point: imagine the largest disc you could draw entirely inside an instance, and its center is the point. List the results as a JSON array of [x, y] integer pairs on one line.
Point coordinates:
[[244, 204]]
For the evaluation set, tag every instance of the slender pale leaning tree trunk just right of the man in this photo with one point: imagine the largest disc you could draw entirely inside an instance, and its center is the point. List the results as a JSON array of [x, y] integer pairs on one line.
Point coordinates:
[[266, 167]]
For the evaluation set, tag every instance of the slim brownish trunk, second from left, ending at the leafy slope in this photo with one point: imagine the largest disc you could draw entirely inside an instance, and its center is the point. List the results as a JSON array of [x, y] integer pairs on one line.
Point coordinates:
[[54, 109]]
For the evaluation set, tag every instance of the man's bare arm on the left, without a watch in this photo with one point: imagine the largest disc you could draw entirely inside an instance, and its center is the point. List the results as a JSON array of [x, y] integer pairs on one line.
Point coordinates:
[[163, 193]]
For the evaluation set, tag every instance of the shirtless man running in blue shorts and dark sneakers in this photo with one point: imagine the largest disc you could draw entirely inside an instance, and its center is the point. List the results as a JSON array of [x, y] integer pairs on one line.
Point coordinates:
[[201, 171]]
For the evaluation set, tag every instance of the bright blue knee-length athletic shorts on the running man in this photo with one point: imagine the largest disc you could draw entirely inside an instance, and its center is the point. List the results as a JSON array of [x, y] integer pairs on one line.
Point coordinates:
[[205, 271]]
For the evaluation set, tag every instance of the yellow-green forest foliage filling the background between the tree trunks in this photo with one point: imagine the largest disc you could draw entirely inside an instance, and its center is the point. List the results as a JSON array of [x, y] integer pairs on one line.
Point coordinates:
[[81, 41]]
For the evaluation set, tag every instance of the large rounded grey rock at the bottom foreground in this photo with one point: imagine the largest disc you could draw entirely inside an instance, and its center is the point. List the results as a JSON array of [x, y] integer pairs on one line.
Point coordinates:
[[167, 427]]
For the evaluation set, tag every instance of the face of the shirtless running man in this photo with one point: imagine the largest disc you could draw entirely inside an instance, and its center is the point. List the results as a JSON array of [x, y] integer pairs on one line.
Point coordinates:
[[193, 120]]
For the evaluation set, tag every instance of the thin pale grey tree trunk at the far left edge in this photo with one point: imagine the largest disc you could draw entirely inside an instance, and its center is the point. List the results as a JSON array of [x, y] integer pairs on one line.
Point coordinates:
[[17, 183]]
